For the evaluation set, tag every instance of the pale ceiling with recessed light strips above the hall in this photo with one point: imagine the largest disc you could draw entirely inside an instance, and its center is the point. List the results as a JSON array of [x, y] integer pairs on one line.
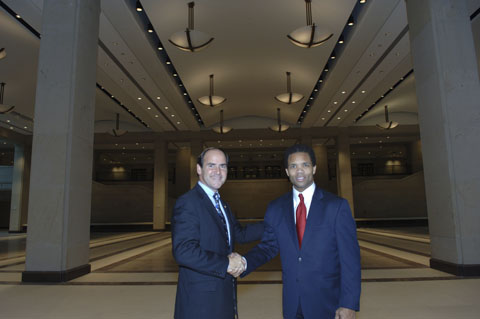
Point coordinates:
[[249, 57]]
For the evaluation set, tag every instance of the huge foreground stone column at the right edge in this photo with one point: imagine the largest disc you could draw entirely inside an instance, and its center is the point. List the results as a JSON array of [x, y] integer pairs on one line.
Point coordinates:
[[448, 91]]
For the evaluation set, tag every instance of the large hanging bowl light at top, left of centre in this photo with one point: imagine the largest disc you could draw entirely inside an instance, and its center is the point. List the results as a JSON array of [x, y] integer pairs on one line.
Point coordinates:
[[190, 40]]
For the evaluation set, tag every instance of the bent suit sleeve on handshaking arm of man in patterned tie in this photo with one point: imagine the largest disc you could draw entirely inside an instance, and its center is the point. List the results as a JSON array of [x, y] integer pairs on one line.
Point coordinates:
[[186, 247]]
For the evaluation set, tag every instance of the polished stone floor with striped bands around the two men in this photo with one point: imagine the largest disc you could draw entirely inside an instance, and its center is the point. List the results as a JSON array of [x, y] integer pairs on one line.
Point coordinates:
[[134, 276]]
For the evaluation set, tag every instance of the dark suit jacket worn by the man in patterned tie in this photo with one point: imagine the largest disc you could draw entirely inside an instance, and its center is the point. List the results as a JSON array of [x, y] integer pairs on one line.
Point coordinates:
[[200, 247]]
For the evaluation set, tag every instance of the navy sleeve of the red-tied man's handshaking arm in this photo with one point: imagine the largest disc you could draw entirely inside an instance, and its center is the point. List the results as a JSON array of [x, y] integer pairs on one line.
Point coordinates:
[[267, 248]]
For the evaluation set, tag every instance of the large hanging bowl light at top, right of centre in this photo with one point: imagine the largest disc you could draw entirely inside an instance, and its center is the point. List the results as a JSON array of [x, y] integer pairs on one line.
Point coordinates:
[[311, 35]]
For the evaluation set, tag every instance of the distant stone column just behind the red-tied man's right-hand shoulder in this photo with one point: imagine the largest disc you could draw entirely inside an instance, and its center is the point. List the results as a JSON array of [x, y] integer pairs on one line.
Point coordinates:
[[344, 168]]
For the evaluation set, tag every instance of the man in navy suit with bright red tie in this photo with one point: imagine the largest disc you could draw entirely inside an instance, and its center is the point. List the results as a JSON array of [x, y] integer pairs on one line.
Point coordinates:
[[316, 236]]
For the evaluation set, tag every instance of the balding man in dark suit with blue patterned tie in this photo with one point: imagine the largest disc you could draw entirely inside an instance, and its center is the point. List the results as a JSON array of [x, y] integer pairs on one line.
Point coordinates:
[[204, 232]]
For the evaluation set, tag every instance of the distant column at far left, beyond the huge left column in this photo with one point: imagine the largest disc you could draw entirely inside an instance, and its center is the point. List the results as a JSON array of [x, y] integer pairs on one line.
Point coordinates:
[[17, 190]]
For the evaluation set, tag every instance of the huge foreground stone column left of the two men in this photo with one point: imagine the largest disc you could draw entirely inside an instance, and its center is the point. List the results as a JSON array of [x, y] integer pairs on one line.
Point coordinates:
[[61, 174]]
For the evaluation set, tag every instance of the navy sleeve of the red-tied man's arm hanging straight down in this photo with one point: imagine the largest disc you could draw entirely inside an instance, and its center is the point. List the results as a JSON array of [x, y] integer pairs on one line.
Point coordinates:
[[349, 253]]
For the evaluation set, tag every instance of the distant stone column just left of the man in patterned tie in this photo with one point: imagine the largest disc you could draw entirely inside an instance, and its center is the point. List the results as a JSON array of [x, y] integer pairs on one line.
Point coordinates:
[[160, 185]]
